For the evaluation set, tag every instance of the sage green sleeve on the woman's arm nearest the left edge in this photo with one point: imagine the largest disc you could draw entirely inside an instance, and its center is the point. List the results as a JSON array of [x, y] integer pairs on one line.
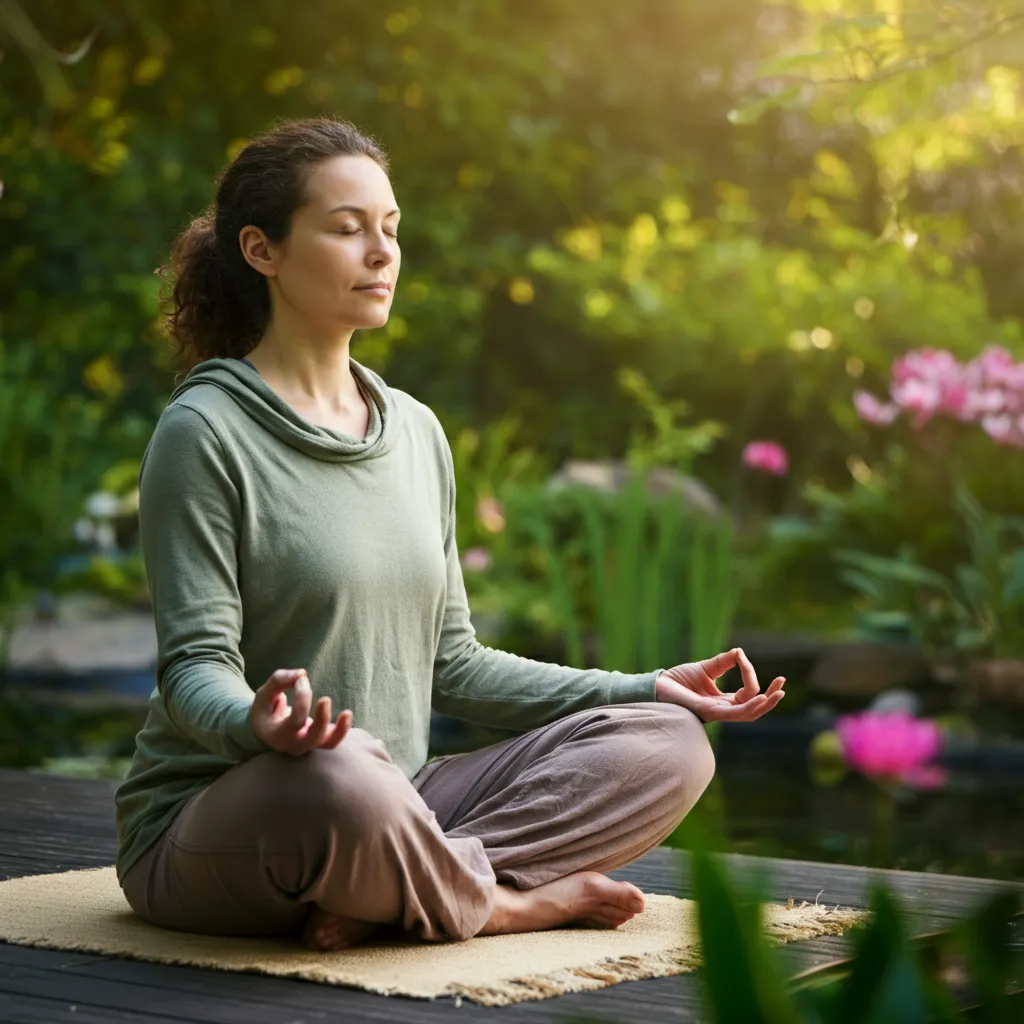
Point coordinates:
[[189, 517]]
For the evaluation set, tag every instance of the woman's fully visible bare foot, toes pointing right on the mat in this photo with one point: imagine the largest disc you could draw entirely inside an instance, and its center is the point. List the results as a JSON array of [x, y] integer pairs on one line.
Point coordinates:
[[587, 899]]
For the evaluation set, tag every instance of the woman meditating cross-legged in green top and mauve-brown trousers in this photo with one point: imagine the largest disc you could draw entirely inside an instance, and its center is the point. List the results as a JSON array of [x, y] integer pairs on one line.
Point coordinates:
[[297, 511]]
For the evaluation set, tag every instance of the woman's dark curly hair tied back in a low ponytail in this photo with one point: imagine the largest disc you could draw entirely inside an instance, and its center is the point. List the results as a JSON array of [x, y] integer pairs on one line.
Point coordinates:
[[220, 306]]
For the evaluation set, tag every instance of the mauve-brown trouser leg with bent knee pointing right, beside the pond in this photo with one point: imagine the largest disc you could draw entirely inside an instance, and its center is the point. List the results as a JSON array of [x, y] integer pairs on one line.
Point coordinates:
[[592, 791]]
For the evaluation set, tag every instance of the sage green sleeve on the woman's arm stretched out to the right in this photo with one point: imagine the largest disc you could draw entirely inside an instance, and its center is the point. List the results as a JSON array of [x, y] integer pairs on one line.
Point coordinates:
[[496, 689]]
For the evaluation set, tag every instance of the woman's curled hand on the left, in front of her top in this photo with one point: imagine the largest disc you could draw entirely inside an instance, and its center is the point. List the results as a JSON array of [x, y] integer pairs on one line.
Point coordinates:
[[292, 731]]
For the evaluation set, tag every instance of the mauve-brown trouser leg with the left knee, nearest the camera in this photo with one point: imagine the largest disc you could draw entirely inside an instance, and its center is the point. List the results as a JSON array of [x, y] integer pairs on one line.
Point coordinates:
[[344, 830]]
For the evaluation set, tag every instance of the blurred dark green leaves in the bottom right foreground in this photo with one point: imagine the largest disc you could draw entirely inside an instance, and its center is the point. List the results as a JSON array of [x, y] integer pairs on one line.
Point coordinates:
[[889, 977]]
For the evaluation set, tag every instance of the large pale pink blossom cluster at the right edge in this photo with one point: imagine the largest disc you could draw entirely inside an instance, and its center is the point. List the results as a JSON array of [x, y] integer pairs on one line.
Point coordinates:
[[929, 382]]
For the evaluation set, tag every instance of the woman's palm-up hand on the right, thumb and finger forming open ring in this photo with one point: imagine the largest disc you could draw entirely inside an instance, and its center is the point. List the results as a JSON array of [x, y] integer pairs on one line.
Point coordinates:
[[693, 687]]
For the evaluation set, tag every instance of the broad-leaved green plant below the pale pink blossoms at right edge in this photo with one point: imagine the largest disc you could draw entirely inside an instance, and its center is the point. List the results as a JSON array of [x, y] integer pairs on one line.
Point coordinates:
[[977, 610]]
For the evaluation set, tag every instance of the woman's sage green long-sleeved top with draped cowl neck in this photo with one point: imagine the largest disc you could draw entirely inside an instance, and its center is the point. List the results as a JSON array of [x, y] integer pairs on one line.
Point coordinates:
[[274, 543]]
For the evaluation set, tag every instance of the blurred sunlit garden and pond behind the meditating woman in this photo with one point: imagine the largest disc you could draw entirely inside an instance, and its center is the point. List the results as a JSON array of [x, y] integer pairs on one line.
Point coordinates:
[[720, 306]]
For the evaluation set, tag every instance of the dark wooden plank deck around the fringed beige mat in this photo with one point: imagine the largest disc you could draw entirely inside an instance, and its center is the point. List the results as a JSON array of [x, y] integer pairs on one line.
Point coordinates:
[[54, 825]]
